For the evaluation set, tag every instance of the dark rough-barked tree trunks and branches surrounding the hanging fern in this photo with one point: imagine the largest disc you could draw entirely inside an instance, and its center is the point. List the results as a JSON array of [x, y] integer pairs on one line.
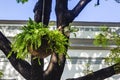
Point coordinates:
[[57, 62]]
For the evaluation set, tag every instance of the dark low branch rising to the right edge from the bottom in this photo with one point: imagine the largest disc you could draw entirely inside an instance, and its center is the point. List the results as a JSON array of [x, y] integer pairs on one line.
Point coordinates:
[[100, 74]]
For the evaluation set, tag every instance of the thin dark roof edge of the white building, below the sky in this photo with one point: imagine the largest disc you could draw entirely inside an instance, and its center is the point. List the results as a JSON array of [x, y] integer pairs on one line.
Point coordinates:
[[76, 23]]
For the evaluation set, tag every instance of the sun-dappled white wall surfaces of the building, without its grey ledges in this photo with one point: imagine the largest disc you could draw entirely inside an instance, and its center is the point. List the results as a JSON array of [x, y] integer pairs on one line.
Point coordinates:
[[76, 66]]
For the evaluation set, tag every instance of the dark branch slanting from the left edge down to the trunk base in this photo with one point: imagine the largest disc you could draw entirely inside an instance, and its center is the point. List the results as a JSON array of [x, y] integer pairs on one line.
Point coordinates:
[[23, 67]]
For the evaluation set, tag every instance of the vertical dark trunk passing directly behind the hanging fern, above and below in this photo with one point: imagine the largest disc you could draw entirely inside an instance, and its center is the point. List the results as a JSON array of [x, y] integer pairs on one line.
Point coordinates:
[[42, 12]]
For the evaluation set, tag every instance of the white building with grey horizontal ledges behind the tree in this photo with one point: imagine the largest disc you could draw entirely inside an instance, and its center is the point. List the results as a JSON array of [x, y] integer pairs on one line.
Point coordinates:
[[84, 55]]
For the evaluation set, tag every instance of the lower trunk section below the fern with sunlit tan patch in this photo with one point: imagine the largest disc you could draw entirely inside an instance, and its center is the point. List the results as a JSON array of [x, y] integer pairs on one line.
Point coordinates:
[[55, 67]]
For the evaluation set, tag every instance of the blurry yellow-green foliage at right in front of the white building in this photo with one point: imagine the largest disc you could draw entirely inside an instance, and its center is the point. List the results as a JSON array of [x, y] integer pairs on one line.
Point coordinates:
[[105, 39]]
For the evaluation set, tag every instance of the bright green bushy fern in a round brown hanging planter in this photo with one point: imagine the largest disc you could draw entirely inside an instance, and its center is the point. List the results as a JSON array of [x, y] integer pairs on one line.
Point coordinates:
[[36, 39]]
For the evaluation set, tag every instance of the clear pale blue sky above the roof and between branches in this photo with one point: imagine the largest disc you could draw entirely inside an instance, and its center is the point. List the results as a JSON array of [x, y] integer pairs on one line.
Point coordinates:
[[107, 11]]
